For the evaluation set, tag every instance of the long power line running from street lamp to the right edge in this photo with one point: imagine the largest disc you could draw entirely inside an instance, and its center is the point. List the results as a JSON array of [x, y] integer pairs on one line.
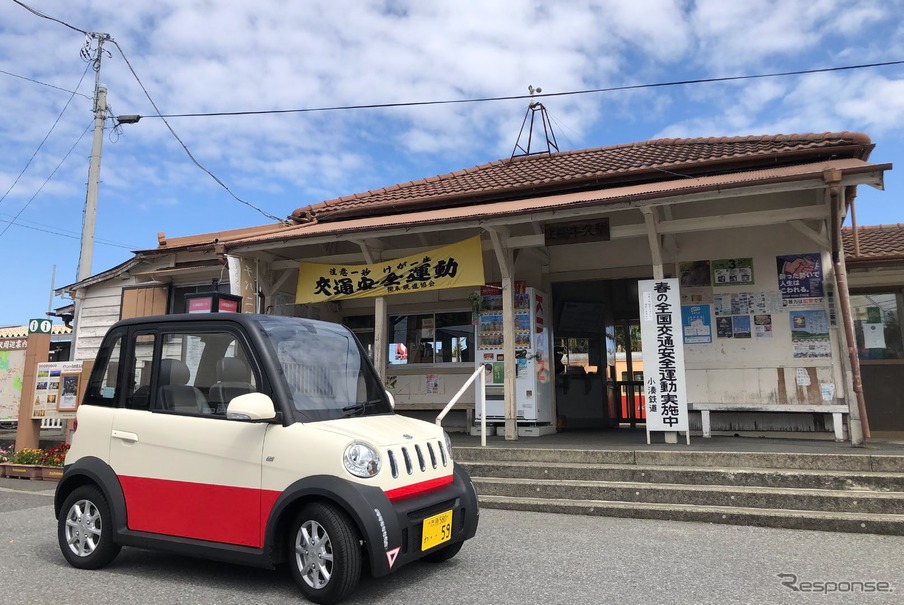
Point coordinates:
[[520, 97]]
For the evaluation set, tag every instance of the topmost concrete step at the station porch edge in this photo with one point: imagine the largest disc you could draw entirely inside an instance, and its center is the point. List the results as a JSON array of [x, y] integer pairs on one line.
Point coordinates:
[[860, 462]]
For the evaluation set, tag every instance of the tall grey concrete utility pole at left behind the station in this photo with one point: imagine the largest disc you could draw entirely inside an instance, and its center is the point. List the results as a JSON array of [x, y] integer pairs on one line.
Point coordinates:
[[86, 253]]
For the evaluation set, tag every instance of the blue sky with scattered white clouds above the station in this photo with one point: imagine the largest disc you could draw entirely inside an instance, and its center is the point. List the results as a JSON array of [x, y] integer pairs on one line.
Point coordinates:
[[212, 56]]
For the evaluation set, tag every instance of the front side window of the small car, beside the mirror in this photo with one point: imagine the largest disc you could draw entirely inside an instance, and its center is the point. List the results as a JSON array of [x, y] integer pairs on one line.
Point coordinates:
[[201, 372]]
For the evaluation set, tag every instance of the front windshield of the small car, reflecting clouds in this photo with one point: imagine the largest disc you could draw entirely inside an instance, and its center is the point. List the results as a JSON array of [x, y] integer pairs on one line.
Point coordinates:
[[326, 369]]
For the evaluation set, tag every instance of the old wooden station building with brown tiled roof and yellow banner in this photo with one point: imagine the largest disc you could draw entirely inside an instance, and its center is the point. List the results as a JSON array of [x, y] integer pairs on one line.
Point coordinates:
[[751, 227]]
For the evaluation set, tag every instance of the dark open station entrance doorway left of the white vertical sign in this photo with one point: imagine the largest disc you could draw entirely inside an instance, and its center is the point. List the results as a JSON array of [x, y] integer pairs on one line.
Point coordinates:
[[598, 357]]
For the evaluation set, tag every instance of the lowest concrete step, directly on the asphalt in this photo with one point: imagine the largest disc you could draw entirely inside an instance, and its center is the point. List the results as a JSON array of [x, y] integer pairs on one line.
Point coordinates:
[[790, 519]]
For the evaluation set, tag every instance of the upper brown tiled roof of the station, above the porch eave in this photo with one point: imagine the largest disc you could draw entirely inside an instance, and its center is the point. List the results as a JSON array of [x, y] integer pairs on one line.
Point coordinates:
[[536, 175]]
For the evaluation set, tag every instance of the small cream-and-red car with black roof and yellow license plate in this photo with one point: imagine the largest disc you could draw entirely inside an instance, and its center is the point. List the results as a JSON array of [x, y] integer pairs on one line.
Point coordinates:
[[256, 439]]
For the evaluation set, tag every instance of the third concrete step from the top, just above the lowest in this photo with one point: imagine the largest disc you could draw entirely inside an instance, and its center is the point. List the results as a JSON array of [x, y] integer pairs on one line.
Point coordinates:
[[835, 501]]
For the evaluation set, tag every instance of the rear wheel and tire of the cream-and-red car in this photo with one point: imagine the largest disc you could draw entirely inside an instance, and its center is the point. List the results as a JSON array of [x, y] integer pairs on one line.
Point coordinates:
[[85, 529]]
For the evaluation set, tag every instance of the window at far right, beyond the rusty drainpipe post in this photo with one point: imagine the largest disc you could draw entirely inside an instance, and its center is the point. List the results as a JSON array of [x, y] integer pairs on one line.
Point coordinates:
[[877, 326]]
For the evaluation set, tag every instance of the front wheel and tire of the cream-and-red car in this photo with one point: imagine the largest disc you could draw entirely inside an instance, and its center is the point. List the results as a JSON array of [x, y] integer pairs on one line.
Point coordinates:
[[324, 553]]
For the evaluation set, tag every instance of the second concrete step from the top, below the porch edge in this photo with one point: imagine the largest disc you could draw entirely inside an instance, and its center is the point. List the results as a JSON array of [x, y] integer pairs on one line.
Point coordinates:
[[752, 477]]
